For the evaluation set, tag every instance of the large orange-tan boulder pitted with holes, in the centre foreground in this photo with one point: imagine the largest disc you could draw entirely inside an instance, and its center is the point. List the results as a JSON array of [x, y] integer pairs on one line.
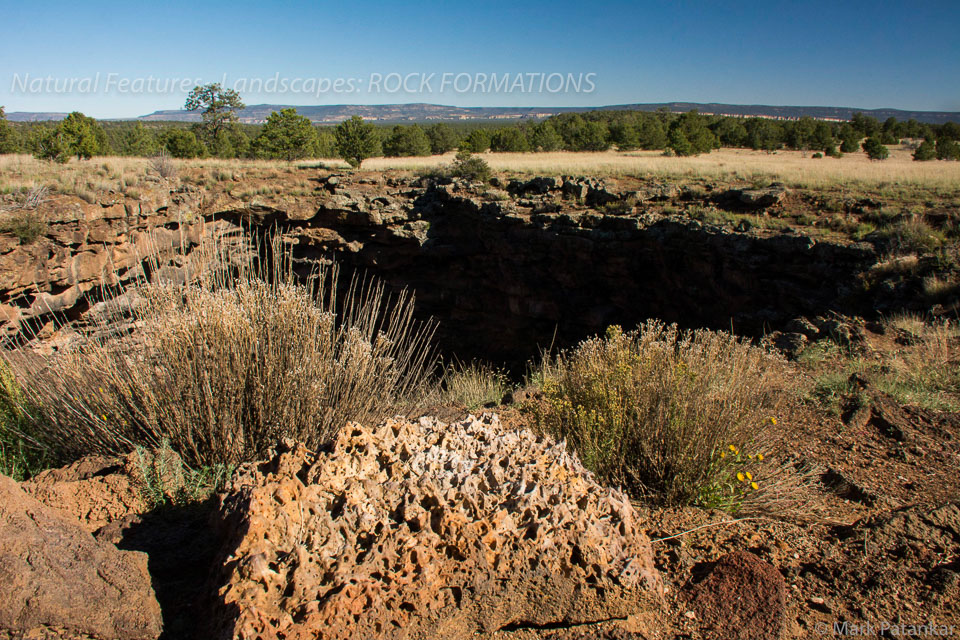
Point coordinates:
[[427, 530]]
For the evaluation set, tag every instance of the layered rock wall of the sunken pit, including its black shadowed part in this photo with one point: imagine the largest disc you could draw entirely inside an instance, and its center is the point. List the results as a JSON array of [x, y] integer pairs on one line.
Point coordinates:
[[506, 271]]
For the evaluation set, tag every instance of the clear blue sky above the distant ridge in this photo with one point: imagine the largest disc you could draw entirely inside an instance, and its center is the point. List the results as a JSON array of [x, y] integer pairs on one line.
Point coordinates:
[[860, 54]]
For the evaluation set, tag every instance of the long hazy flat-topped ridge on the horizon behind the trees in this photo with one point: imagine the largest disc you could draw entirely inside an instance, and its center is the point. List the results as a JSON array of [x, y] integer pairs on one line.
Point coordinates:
[[422, 112]]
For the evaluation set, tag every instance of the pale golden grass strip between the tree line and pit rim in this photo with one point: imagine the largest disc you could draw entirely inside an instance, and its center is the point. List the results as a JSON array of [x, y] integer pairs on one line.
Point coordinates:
[[795, 168]]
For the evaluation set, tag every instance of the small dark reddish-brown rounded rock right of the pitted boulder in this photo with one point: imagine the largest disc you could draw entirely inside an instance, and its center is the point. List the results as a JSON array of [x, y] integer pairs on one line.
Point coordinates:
[[742, 598]]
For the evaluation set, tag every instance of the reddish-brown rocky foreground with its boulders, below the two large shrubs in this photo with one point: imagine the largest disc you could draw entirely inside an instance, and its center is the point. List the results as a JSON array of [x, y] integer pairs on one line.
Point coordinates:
[[538, 550]]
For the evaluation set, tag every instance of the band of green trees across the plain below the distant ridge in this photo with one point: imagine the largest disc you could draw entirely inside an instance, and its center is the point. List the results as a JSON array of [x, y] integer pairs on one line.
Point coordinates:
[[287, 135]]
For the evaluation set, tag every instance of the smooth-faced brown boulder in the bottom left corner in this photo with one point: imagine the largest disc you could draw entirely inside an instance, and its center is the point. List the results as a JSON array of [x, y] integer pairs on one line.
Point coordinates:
[[57, 581]]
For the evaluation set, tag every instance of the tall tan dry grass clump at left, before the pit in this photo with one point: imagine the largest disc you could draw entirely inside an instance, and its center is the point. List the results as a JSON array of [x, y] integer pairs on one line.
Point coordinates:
[[225, 366]]
